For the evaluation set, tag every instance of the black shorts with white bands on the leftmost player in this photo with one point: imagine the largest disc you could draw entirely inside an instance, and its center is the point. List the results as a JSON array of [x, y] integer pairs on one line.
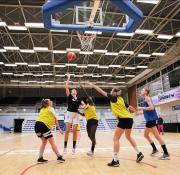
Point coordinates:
[[42, 130]]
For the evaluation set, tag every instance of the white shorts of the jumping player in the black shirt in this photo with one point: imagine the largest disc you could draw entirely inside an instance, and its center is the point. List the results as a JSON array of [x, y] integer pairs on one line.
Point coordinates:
[[72, 117]]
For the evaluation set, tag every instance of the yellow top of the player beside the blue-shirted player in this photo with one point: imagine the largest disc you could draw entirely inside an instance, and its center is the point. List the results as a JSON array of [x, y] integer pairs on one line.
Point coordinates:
[[119, 109]]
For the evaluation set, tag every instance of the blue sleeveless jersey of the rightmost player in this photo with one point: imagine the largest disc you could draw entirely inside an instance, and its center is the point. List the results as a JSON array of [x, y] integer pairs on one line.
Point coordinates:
[[149, 115]]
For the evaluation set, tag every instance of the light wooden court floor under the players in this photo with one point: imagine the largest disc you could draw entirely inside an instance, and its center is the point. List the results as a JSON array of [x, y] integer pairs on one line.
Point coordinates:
[[18, 154]]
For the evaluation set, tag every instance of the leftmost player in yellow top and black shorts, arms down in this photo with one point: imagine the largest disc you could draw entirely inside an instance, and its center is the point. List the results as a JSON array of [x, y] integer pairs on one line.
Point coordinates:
[[44, 123]]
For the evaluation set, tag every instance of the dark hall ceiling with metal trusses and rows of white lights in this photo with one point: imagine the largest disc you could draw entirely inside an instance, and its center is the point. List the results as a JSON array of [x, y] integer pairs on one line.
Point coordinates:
[[116, 67]]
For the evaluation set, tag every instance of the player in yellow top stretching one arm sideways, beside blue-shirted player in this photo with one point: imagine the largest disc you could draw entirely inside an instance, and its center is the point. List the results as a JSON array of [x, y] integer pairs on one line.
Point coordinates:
[[121, 112]]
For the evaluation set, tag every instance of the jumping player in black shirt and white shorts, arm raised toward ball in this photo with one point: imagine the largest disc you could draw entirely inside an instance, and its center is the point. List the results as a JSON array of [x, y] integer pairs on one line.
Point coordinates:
[[72, 116]]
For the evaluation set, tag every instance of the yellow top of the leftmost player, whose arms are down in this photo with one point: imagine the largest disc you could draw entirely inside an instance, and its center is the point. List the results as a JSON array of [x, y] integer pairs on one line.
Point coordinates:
[[47, 116]]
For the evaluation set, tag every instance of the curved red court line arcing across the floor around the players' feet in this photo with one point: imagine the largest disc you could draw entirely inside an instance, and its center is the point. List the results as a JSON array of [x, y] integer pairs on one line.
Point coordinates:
[[34, 165]]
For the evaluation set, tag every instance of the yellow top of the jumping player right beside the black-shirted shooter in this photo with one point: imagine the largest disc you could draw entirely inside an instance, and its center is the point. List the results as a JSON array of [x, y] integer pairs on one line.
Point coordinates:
[[90, 112]]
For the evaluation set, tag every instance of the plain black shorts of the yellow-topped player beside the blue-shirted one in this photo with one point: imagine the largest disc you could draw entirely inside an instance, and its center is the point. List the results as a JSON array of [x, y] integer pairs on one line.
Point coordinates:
[[125, 123]]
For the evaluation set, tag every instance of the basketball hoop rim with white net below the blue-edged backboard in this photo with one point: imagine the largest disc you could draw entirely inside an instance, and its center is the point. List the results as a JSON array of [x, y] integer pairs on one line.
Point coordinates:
[[86, 40]]
